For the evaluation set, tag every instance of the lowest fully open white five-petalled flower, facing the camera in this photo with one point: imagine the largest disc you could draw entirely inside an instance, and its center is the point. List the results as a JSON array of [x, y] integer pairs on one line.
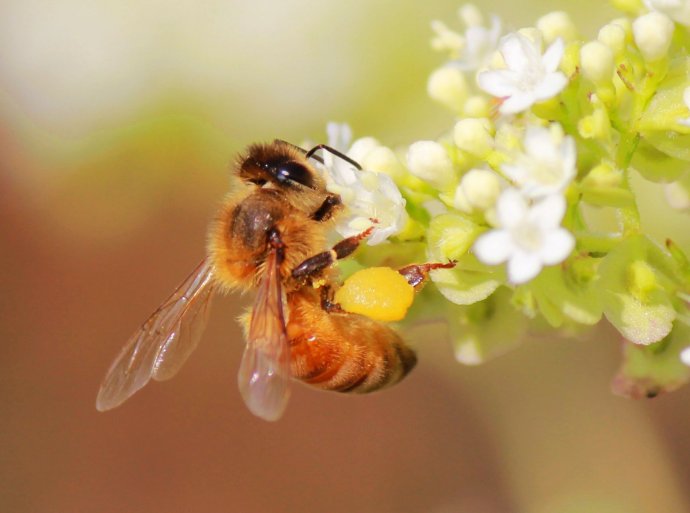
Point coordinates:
[[528, 237]]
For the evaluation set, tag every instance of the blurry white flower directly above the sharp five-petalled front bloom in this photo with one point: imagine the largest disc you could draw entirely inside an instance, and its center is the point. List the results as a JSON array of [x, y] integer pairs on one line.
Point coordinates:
[[547, 165]]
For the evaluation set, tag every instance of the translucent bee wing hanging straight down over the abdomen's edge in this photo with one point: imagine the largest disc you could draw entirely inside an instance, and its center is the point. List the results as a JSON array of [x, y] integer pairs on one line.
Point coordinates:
[[264, 373]]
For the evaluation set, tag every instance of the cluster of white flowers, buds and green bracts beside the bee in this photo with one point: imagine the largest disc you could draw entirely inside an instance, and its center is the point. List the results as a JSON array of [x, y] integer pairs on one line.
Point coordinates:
[[550, 128]]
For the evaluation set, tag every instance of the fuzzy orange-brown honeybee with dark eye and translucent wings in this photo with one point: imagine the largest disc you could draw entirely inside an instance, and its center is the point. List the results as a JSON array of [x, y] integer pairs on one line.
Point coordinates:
[[270, 236]]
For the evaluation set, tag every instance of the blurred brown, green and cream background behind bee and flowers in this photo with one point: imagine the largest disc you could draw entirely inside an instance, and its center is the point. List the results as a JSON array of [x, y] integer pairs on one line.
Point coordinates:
[[118, 121]]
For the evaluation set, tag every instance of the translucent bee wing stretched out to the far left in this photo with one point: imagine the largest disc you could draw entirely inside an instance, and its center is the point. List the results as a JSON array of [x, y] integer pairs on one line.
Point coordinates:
[[163, 343]]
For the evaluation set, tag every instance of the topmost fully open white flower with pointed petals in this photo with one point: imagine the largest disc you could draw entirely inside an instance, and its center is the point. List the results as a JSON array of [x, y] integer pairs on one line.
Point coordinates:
[[529, 76]]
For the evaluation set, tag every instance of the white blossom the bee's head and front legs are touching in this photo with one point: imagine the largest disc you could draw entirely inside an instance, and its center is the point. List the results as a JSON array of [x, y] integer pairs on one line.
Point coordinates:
[[366, 195]]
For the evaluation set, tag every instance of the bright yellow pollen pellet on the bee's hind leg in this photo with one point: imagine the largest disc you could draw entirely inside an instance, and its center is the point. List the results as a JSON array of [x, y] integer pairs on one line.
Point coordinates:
[[380, 293]]
